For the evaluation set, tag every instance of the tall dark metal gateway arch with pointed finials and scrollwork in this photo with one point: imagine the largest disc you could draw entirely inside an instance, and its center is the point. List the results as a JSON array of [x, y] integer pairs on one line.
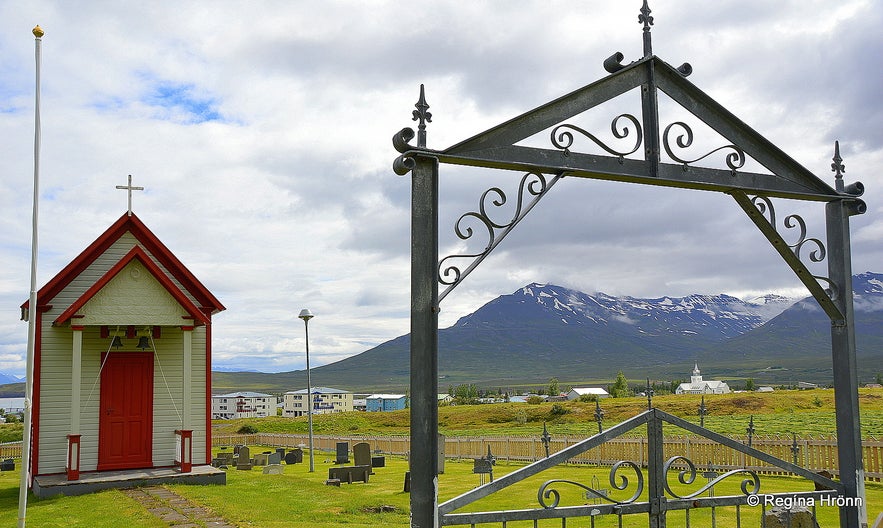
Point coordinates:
[[567, 153]]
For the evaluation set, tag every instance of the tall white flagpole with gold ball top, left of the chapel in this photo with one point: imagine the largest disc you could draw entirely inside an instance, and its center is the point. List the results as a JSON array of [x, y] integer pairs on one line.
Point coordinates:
[[32, 299]]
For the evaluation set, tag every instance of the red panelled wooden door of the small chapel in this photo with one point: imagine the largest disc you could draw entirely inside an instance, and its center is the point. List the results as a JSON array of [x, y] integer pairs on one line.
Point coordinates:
[[125, 424]]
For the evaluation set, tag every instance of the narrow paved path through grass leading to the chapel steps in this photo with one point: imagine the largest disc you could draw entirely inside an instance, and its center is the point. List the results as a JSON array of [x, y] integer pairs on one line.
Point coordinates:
[[175, 509]]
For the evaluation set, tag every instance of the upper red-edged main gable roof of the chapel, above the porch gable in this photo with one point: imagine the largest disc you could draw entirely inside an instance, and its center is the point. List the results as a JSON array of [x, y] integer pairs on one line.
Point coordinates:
[[132, 224]]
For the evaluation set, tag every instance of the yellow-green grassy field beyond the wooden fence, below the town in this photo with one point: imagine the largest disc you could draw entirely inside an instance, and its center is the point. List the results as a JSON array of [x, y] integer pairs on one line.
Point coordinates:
[[779, 413]]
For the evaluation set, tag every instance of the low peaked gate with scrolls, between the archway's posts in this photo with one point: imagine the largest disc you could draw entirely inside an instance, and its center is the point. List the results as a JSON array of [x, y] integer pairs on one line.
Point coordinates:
[[631, 492]]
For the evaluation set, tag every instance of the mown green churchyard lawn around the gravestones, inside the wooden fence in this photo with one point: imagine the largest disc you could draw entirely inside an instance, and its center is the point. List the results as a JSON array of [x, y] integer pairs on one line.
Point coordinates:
[[299, 499]]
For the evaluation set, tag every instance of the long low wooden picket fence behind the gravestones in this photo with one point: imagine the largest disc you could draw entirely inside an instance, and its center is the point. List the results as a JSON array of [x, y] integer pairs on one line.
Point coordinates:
[[816, 454]]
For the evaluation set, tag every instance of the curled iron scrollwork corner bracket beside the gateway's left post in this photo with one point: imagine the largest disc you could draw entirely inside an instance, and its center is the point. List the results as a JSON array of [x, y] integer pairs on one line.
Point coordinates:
[[532, 184]]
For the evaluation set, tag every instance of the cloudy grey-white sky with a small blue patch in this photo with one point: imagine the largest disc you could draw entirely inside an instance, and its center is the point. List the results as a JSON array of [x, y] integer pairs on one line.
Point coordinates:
[[261, 132]]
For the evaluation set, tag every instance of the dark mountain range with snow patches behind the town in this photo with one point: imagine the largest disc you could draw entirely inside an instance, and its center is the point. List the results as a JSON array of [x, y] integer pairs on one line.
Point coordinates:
[[544, 331]]
